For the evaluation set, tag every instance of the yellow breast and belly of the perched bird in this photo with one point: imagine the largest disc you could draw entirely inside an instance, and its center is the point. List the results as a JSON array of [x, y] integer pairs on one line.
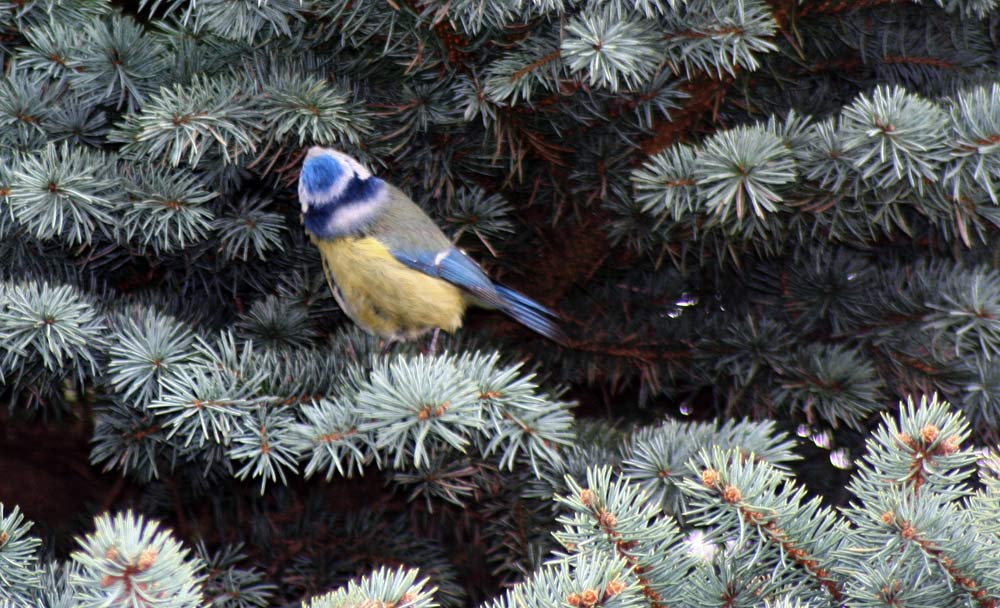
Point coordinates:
[[384, 296]]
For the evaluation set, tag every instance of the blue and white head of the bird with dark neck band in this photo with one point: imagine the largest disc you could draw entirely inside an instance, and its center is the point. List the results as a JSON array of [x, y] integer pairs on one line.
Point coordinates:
[[337, 192]]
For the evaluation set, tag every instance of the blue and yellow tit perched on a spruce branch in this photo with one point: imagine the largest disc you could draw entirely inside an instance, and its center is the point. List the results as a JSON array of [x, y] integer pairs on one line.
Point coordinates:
[[390, 267]]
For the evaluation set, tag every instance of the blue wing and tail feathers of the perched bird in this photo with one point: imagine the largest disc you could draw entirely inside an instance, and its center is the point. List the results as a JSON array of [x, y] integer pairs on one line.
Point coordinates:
[[459, 269]]
